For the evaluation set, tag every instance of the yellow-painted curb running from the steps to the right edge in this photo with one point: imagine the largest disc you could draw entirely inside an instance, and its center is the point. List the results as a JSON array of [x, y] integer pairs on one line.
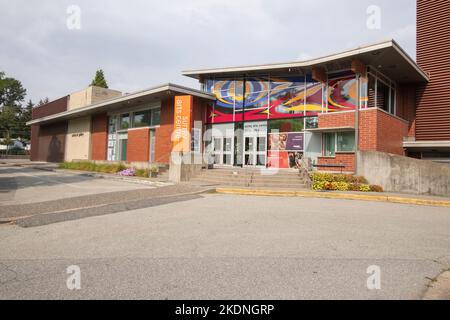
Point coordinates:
[[330, 195]]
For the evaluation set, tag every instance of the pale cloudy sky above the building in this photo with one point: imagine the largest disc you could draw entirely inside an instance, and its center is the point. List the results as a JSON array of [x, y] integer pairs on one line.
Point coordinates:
[[54, 50]]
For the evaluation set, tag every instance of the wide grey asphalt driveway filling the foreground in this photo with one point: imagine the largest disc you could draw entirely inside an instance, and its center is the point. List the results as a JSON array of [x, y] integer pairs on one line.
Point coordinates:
[[232, 247]]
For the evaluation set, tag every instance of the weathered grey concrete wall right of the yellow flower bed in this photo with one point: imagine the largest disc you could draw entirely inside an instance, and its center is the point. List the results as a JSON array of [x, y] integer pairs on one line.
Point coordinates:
[[401, 174]]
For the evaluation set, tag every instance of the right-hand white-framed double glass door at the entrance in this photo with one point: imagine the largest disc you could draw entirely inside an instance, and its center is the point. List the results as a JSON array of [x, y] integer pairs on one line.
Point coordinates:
[[255, 150]]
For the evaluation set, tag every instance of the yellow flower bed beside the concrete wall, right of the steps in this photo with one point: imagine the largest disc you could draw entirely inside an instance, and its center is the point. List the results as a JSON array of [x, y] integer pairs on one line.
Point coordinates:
[[341, 182]]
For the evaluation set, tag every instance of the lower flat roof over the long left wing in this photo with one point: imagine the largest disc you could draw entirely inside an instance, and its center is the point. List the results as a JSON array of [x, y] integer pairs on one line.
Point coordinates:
[[118, 102]]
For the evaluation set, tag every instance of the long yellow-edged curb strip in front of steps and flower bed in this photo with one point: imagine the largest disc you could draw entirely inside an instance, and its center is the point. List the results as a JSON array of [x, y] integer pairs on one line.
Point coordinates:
[[379, 197]]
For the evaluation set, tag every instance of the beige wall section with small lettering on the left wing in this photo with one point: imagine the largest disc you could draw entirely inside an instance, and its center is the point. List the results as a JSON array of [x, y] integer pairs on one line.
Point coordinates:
[[78, 139]]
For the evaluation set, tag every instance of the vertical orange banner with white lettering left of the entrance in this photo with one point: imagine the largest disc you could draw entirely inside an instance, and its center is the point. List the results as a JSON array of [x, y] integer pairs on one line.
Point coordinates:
[[182, 124]]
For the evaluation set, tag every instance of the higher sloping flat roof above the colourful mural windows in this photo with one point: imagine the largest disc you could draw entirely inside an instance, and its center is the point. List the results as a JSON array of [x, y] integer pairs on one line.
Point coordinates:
[[388, 56]]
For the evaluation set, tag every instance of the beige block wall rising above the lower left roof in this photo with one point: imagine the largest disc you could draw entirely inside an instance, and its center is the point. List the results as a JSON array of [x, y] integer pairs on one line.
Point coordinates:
[[91, 95]]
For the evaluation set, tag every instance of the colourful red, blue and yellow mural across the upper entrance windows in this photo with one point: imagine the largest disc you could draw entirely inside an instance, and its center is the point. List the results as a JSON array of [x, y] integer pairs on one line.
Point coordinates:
[[281, 98]]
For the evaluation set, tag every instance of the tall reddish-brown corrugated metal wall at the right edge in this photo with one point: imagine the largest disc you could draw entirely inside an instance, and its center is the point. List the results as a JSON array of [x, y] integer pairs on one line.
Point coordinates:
[[433, 56]]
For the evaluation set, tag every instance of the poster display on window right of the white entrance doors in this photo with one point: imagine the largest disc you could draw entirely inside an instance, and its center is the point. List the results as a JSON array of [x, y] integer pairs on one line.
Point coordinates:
[[286, 150]]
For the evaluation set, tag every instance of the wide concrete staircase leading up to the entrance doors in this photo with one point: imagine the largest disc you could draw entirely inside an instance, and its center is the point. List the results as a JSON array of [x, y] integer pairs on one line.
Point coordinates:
[[253, 178]]
